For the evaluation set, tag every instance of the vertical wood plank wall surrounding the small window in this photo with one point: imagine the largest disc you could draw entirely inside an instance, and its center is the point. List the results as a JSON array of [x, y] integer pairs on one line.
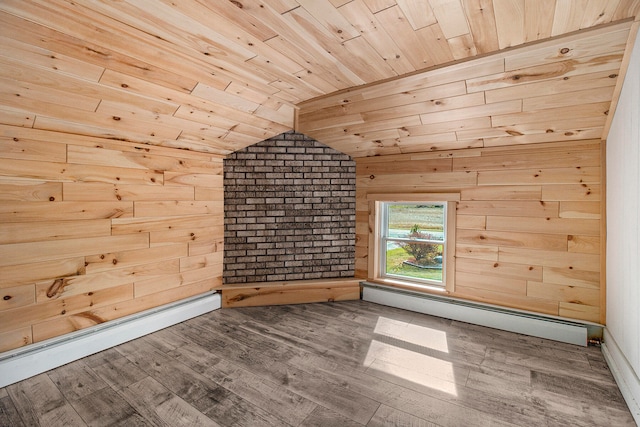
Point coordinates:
[[528, 223]]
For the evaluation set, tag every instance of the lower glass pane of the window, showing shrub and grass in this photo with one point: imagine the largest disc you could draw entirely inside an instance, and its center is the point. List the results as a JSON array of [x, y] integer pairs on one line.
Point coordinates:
[[414, 260]]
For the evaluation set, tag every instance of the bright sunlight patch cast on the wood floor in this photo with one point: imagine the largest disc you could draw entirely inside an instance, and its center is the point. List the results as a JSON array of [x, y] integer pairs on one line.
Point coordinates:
[[411, 353]]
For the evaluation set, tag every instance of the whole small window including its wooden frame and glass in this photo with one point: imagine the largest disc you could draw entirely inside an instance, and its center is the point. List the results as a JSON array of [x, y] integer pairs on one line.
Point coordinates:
[[413, 240]]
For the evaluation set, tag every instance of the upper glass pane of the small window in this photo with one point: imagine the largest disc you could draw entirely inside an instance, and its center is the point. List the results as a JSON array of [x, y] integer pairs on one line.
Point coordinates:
[[416, 221]]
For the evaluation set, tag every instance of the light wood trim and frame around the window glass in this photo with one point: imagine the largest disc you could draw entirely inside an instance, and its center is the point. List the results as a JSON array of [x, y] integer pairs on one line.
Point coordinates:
[[374, 272]]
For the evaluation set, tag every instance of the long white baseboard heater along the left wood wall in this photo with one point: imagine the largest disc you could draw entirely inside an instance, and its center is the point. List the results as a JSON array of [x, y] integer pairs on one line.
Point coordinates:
[[24, 362]]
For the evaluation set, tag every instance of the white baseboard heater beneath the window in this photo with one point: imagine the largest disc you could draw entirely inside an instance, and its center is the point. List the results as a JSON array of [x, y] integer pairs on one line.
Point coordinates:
[[512, 320]]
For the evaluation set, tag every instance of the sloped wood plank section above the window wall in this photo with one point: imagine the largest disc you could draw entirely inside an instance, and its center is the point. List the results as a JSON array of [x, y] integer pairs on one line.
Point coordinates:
[[558, 90]]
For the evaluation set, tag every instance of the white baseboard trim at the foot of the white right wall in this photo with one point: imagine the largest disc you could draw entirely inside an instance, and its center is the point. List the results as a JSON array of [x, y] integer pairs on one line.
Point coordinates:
[[623, 373]]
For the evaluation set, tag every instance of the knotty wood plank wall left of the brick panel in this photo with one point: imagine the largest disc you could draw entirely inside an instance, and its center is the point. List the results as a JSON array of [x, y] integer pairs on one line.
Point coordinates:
[[94, 229]]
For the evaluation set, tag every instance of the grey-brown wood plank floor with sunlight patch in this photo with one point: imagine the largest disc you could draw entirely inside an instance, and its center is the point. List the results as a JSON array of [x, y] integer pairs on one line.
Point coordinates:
[[333, 364]]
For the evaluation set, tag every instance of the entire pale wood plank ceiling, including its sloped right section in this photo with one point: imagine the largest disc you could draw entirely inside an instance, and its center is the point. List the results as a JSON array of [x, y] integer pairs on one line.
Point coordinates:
[[367, 77]]
